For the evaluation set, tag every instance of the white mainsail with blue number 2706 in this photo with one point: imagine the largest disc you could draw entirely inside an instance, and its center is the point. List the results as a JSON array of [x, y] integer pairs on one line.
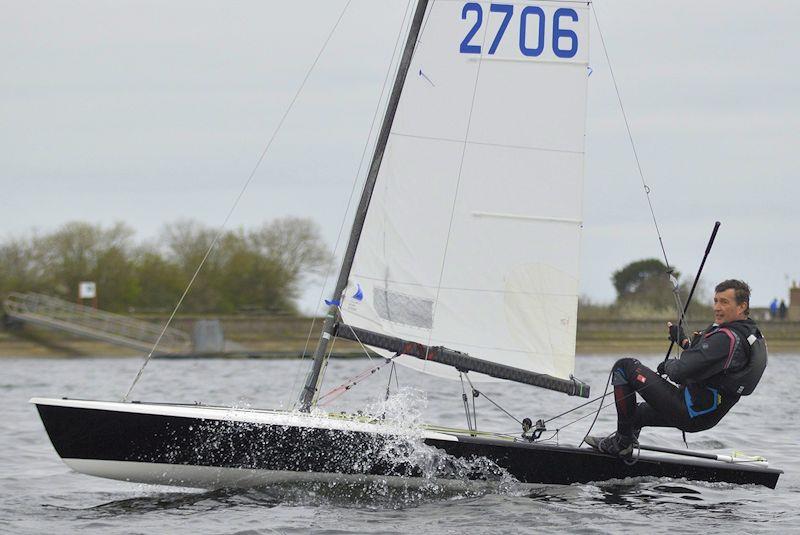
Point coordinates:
[[472, 236]]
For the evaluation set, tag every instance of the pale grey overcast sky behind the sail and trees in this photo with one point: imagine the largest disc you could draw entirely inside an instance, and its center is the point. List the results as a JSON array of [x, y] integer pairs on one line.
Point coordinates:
[[150, 112]]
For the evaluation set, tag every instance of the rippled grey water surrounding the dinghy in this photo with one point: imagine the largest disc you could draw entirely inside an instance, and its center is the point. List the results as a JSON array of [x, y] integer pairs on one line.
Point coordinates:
[[38, 493]]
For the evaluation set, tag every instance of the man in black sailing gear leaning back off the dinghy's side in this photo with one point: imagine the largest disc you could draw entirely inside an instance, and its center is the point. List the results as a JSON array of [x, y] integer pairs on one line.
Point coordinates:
[[715, 368]]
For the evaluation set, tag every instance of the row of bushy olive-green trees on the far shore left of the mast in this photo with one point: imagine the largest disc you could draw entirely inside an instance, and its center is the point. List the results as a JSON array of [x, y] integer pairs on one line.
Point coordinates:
[[257, 270]]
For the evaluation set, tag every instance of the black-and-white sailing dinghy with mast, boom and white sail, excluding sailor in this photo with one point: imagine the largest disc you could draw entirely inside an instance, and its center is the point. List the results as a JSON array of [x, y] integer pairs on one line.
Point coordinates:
[[462, 262]]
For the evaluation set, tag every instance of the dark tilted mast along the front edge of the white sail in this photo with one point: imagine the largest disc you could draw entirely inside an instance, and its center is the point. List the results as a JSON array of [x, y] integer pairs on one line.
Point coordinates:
[[311, 388]]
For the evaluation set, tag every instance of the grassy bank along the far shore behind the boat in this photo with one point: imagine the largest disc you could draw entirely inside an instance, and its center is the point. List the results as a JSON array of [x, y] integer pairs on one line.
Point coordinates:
[[286, 336]]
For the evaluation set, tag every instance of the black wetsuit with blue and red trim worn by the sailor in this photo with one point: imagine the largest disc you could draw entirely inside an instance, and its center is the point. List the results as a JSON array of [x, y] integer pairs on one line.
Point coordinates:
[[699, 402]]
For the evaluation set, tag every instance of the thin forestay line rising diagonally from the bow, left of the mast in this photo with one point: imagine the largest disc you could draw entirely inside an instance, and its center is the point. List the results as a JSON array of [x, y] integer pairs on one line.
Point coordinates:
[[238, 198]]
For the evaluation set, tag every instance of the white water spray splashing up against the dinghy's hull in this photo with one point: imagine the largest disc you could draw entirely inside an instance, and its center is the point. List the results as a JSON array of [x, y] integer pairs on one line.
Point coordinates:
[[379, 453]]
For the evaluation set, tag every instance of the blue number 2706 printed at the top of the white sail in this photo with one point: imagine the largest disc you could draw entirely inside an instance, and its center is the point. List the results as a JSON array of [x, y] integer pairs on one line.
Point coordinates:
[[529, 15]]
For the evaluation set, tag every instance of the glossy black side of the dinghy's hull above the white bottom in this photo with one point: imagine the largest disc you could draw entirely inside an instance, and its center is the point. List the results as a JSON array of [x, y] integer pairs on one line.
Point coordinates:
[[81, 433]]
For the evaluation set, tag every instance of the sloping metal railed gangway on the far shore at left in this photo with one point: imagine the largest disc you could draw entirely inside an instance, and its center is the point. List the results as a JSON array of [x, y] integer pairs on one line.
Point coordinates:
[[54, 313]]
